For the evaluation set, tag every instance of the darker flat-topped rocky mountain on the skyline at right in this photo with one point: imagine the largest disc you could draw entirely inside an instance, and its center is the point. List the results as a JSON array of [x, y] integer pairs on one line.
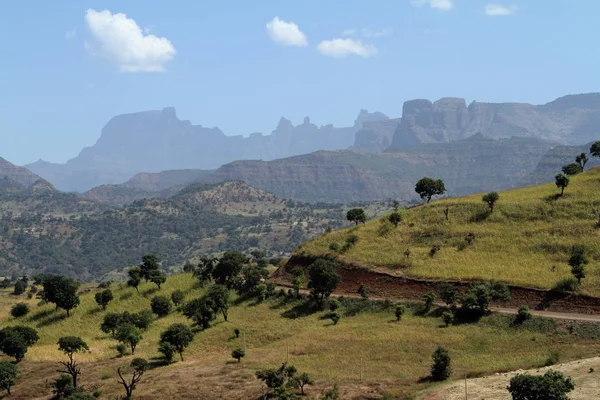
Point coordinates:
[[571, 119]]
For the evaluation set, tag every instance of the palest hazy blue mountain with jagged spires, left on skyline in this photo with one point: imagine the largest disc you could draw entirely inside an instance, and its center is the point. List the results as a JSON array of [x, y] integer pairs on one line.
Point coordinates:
[[155, 141]]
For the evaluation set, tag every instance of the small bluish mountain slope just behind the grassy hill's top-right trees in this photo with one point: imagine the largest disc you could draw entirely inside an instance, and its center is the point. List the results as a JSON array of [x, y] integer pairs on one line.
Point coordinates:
[[553, 161]]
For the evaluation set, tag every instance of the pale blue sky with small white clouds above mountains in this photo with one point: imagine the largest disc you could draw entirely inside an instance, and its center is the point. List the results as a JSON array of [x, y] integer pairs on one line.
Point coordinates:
[[67, 67]]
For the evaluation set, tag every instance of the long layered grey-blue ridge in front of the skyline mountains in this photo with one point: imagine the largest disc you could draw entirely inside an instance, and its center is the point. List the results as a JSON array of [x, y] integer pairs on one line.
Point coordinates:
[[472, 165]]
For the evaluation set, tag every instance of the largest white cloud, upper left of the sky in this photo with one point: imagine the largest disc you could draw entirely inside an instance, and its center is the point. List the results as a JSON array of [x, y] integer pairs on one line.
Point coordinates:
[[121, 41]]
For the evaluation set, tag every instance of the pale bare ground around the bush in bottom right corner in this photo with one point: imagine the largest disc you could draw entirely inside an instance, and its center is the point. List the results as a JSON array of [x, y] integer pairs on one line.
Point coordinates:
[[493, 387]]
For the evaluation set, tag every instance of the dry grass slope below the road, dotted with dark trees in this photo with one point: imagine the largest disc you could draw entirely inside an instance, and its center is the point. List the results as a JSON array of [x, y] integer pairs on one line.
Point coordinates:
[[397, 354]]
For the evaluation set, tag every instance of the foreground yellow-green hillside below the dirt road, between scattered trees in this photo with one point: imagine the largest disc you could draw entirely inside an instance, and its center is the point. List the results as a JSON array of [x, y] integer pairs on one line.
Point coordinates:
[[274, 331]]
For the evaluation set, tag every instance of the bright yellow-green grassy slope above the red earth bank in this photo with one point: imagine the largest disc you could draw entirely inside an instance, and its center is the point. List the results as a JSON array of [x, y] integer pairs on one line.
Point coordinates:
[[526, 241]]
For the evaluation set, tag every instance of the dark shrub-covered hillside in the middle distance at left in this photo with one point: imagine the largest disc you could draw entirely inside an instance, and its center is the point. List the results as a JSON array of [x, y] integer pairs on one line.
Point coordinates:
[[47, 230]]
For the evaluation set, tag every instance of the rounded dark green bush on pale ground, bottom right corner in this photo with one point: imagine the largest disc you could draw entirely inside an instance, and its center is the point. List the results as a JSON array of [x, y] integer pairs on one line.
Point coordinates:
[[553, 385]]
